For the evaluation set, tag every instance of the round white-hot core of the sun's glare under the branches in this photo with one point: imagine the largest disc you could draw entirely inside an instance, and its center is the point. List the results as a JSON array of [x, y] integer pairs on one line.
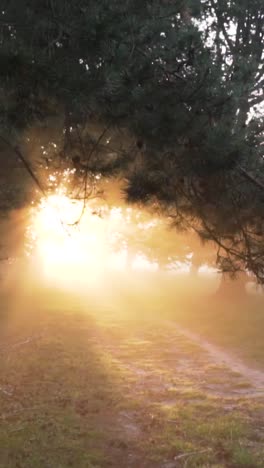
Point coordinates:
[[70, 244]]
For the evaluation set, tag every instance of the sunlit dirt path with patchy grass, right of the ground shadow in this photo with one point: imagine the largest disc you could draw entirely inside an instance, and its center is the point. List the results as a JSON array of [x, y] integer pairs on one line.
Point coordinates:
[[182, 392]]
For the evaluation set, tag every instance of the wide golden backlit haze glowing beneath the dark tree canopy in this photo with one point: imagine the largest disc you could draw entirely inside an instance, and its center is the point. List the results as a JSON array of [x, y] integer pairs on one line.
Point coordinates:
[[104, 249]]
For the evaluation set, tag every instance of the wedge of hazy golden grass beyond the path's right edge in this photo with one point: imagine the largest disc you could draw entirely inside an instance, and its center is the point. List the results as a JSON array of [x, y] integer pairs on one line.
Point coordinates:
[[237, 327]]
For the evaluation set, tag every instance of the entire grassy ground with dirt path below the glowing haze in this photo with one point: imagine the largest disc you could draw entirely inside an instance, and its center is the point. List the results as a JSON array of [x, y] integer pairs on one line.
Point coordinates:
[[89, 386]]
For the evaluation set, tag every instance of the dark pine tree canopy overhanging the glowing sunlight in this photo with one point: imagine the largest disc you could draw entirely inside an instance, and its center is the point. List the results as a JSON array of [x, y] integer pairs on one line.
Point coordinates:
[[166, 93]]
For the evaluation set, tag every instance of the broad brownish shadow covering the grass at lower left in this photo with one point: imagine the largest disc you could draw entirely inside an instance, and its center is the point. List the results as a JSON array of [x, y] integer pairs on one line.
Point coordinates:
[[58, 395]]
